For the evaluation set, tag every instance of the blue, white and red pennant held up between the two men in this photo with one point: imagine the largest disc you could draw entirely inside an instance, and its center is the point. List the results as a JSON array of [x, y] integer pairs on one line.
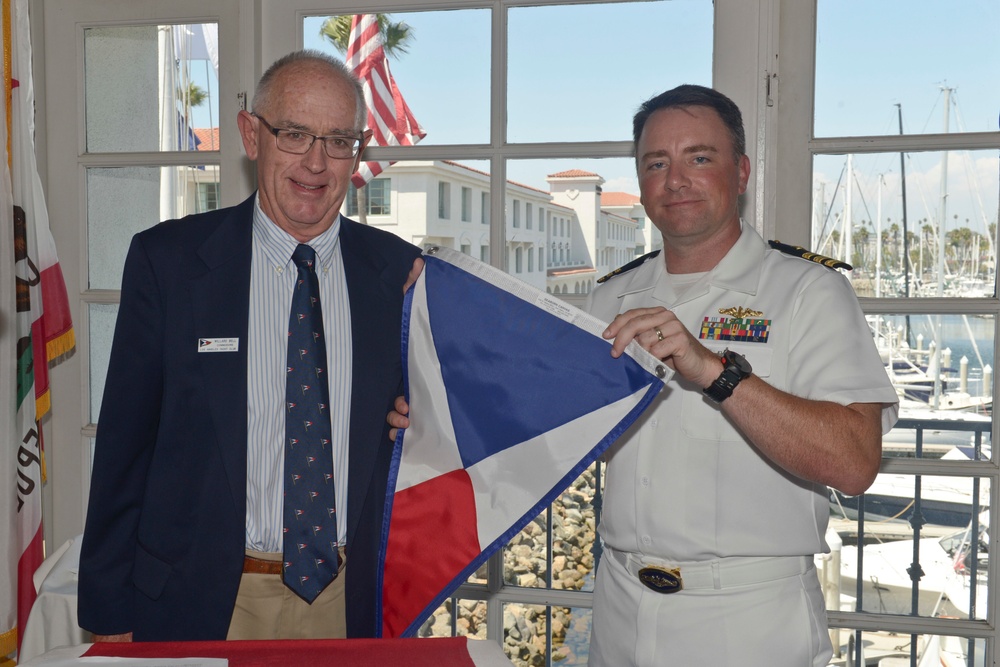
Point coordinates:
[[512, 394]]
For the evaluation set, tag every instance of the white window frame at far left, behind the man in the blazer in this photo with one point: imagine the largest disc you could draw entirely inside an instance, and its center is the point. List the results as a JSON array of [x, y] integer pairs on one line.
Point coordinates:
[[57, 28]]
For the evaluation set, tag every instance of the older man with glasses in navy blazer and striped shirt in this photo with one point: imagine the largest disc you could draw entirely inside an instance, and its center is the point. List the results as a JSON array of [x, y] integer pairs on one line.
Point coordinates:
[[183, 532]]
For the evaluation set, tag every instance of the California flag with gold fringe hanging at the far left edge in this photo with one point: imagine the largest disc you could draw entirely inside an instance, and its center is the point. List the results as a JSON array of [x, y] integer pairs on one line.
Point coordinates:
[[35, 328]]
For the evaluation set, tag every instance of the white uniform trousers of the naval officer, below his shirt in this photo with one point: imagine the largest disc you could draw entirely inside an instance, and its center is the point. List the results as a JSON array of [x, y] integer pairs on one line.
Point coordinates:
[[773, 622]]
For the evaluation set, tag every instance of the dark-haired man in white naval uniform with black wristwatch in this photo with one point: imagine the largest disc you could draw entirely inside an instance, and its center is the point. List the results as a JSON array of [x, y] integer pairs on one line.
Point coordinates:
[[716, 498]]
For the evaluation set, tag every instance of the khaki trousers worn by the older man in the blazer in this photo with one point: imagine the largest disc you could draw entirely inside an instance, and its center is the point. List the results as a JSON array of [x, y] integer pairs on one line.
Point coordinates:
[[267, 609]]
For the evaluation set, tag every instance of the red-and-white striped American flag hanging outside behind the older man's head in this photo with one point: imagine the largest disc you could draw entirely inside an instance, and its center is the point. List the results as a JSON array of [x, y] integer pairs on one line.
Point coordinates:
[[391, 121]]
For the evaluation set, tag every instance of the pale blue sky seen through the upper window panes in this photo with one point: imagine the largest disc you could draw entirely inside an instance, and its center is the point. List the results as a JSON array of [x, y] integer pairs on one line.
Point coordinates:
[[575, 83]]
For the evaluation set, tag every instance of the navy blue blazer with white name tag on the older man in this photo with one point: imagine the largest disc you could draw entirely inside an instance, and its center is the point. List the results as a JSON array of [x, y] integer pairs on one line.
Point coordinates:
[[165, 534]]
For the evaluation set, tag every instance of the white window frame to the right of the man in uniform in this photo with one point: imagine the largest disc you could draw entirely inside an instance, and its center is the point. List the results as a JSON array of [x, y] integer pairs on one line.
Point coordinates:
[[791, 152]]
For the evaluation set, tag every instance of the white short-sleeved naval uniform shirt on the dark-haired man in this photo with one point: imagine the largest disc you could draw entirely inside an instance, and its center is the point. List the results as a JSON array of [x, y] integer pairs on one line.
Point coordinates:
[[683, 483]]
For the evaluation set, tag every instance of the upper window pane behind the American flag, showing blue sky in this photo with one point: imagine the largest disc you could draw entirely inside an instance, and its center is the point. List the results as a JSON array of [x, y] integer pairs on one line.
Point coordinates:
[[447, 57]]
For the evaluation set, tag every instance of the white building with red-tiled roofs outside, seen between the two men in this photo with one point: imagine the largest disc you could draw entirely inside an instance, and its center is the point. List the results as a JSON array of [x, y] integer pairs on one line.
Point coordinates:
[[560, 241]]
